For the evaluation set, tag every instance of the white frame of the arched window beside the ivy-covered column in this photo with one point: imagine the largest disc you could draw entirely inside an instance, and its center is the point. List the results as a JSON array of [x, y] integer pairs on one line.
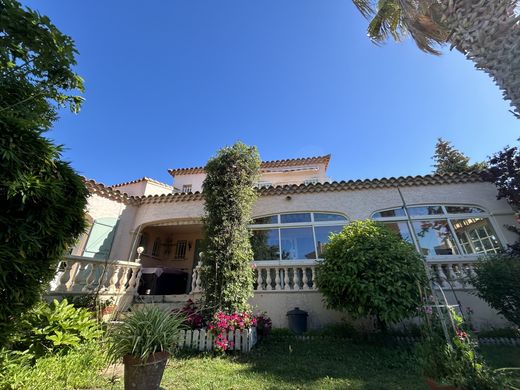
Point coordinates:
[[281, 226]]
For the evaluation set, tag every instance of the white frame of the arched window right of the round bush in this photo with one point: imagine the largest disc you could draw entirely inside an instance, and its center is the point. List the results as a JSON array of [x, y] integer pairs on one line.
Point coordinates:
[[444, 216]]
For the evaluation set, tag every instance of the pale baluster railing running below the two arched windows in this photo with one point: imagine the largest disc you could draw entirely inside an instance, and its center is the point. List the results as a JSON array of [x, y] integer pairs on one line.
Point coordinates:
[[448, 274]]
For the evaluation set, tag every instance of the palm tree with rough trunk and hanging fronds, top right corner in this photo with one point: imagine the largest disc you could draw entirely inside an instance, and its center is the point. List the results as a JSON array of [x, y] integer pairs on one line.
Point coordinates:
[[487, 32]]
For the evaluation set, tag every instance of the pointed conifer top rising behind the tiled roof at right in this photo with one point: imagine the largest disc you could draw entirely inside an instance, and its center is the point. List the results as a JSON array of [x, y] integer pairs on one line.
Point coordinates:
[[450, 160]]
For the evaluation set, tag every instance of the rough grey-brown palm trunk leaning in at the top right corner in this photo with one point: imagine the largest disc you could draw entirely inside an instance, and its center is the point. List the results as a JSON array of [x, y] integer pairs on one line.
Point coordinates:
[[487, 32]]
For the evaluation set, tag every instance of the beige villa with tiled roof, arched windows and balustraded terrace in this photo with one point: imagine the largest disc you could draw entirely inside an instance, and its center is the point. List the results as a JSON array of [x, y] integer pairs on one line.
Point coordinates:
[[144, 240]]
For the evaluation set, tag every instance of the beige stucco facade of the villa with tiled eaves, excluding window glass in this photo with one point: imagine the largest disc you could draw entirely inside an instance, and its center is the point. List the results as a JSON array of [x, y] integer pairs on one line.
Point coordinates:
[[168, 224]]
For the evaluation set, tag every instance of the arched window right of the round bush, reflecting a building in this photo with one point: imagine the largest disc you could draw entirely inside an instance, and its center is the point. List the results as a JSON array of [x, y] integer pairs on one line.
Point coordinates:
[[443, 230]]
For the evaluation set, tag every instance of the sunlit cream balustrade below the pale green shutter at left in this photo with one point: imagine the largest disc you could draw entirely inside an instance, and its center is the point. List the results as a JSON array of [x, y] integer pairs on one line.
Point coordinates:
[[82, 275]]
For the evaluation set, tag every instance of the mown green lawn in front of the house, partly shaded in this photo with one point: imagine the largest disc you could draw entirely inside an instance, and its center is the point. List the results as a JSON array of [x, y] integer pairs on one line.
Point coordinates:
[[319, 364]]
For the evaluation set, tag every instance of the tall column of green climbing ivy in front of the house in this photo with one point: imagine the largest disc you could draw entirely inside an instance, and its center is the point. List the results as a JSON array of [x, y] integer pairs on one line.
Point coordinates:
[[229, 194]]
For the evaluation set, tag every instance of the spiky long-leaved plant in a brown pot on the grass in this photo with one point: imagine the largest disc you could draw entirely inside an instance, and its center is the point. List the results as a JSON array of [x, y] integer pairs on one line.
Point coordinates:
[[145, 340]]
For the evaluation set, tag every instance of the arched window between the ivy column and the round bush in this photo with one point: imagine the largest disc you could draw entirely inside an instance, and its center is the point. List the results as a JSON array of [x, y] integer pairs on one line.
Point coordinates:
[[293, 236]]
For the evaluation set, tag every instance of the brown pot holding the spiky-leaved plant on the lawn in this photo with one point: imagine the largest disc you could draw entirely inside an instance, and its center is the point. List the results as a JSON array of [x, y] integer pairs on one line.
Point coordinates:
[[147, 374]]
